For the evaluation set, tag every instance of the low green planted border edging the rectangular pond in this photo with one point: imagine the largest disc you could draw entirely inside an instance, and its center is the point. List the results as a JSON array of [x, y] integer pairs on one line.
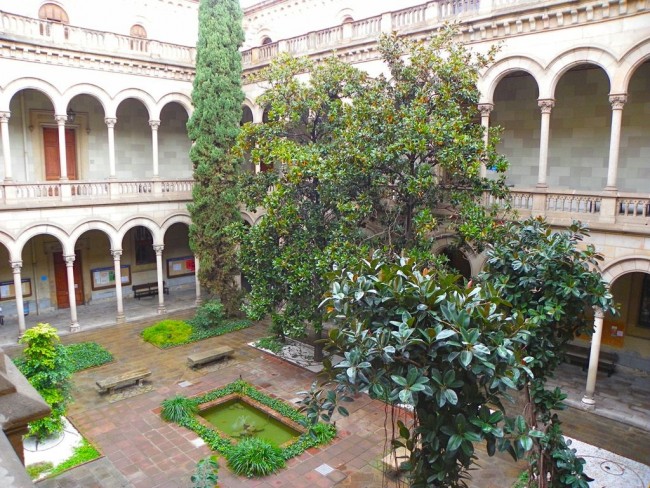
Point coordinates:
[[322, 434]]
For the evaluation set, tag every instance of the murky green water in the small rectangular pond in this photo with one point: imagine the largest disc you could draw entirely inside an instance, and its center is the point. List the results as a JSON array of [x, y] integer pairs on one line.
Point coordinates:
[[238, 419]]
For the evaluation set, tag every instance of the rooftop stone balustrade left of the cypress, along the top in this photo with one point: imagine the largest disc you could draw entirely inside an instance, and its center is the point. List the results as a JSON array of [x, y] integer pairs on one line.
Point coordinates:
[[89, 40]]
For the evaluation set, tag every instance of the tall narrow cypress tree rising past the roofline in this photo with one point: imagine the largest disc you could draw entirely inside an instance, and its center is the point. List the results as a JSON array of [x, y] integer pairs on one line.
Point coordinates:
[[217, 97]]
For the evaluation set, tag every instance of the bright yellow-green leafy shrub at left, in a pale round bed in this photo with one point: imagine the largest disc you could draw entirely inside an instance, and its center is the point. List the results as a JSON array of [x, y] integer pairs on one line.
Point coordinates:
[[47, 368]]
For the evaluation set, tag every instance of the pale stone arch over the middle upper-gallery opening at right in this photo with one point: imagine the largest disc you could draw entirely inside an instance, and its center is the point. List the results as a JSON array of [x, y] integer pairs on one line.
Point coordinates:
[[585, 55]]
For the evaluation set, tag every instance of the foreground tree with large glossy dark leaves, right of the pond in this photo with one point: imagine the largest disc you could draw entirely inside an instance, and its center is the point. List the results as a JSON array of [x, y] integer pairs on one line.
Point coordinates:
[[415, 336]]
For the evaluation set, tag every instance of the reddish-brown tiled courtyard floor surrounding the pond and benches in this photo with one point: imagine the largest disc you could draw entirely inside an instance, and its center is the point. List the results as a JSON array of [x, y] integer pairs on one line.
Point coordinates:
[[143, 451]]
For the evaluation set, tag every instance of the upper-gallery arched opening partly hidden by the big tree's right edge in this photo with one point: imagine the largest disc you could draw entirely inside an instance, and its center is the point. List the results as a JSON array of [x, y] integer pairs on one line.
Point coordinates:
[[516, 112]]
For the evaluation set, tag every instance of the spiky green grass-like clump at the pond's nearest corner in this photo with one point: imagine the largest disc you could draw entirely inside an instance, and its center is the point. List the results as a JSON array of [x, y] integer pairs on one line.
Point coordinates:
[[255, 457]]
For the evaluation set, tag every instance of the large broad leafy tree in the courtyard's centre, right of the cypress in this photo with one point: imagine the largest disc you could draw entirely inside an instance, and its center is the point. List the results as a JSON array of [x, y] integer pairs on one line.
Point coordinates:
[[360, 163]]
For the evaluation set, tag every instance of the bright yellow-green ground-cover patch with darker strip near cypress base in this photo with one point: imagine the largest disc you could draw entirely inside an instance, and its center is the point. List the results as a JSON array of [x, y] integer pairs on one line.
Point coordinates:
[[189, 332]]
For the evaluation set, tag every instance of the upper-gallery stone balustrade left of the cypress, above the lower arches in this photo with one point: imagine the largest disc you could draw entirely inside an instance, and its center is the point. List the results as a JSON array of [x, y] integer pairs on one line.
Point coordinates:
[[96, 192]]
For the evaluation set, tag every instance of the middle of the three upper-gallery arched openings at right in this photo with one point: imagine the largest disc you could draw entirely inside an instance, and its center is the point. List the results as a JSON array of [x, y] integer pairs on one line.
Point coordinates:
[[580, 130]]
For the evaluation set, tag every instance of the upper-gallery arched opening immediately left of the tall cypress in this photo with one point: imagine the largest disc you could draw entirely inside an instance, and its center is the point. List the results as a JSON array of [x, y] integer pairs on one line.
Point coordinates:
[[173, 143]]
